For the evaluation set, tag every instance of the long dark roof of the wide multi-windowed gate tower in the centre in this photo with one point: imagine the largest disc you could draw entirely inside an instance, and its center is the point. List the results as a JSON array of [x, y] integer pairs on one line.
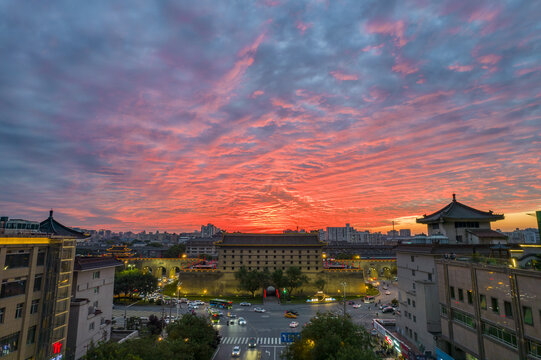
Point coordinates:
[[270, 240]]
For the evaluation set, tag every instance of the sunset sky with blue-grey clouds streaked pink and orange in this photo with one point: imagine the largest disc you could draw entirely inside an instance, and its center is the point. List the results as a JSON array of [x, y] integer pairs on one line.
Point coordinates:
[[259, 116]]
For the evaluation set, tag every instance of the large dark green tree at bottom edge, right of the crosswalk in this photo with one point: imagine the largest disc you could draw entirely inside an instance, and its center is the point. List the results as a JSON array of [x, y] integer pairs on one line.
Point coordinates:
[[331, 337]]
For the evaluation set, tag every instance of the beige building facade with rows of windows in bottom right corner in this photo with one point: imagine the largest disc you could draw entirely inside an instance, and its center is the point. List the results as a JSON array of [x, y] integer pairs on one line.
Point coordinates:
[[489, 310]]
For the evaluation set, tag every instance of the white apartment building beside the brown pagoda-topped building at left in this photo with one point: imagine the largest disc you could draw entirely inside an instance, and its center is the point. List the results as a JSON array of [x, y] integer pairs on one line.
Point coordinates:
[[91, 308]]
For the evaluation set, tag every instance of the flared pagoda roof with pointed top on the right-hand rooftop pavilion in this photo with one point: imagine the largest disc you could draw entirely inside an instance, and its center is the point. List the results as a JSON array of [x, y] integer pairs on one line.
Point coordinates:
[[458, 211]]
